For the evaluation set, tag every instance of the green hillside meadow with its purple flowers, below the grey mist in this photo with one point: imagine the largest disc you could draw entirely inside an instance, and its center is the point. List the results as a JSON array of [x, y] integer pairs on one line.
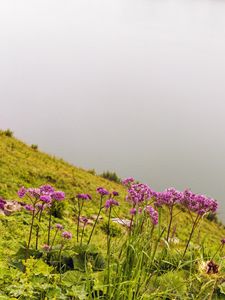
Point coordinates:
[[75, 235]]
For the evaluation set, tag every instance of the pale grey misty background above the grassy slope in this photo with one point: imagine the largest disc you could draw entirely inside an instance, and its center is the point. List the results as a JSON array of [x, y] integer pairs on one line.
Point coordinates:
[[131, 86]]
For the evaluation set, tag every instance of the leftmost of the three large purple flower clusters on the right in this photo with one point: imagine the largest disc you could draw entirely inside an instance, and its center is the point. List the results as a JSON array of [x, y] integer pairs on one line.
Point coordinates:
[[139, 192]]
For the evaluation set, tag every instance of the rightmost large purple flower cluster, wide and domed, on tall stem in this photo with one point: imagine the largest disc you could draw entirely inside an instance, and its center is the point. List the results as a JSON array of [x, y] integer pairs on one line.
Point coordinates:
[[198, 203]]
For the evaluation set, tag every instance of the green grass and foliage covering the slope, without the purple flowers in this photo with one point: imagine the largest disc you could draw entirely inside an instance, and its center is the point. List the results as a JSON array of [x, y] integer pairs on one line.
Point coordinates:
[[170, 277]]
